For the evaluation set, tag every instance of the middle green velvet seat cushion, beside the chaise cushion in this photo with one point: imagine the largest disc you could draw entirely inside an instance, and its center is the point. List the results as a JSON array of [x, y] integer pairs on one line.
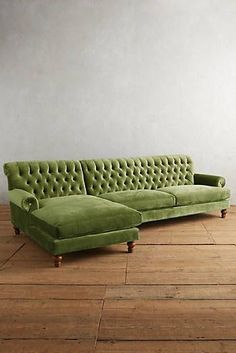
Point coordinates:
[[141, 200]]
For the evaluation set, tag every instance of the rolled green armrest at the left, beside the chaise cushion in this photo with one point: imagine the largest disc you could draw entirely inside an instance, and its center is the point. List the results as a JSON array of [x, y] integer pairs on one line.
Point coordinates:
[[23, 199]]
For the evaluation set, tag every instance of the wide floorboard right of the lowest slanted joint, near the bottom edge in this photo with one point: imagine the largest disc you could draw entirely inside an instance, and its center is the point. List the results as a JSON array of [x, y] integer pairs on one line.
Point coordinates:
[[168, 320]]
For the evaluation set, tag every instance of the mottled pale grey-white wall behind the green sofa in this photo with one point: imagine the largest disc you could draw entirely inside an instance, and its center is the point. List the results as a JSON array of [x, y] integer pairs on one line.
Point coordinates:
[[116, 78]]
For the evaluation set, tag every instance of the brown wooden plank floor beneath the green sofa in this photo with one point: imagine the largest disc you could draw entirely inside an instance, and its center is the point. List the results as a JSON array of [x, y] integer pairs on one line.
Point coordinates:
[[175, 294]]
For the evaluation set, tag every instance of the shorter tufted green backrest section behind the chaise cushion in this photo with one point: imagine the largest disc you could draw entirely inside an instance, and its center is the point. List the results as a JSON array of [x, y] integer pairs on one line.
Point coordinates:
[[46, 178]]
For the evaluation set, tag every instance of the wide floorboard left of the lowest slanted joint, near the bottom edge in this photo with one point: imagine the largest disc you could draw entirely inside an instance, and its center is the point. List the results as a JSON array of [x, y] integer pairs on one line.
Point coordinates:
[[49, 319]]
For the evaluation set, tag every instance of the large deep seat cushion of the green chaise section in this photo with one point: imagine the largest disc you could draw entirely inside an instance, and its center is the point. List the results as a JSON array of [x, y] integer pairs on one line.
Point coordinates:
[[77, 215]]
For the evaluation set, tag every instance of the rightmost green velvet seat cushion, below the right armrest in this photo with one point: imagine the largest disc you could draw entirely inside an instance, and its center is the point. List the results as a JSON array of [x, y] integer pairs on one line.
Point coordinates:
[[195, 194]]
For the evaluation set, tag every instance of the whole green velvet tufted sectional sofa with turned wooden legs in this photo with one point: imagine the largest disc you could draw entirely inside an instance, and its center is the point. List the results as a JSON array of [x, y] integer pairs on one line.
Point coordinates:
[[68, 206]]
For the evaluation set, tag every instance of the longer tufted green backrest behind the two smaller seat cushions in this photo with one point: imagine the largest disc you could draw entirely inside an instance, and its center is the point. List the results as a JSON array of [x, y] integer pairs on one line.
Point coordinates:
[[109, 175]]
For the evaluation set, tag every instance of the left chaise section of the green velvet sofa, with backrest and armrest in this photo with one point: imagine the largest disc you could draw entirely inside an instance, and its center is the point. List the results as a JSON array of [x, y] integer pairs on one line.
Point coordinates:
[[49, 203]]
